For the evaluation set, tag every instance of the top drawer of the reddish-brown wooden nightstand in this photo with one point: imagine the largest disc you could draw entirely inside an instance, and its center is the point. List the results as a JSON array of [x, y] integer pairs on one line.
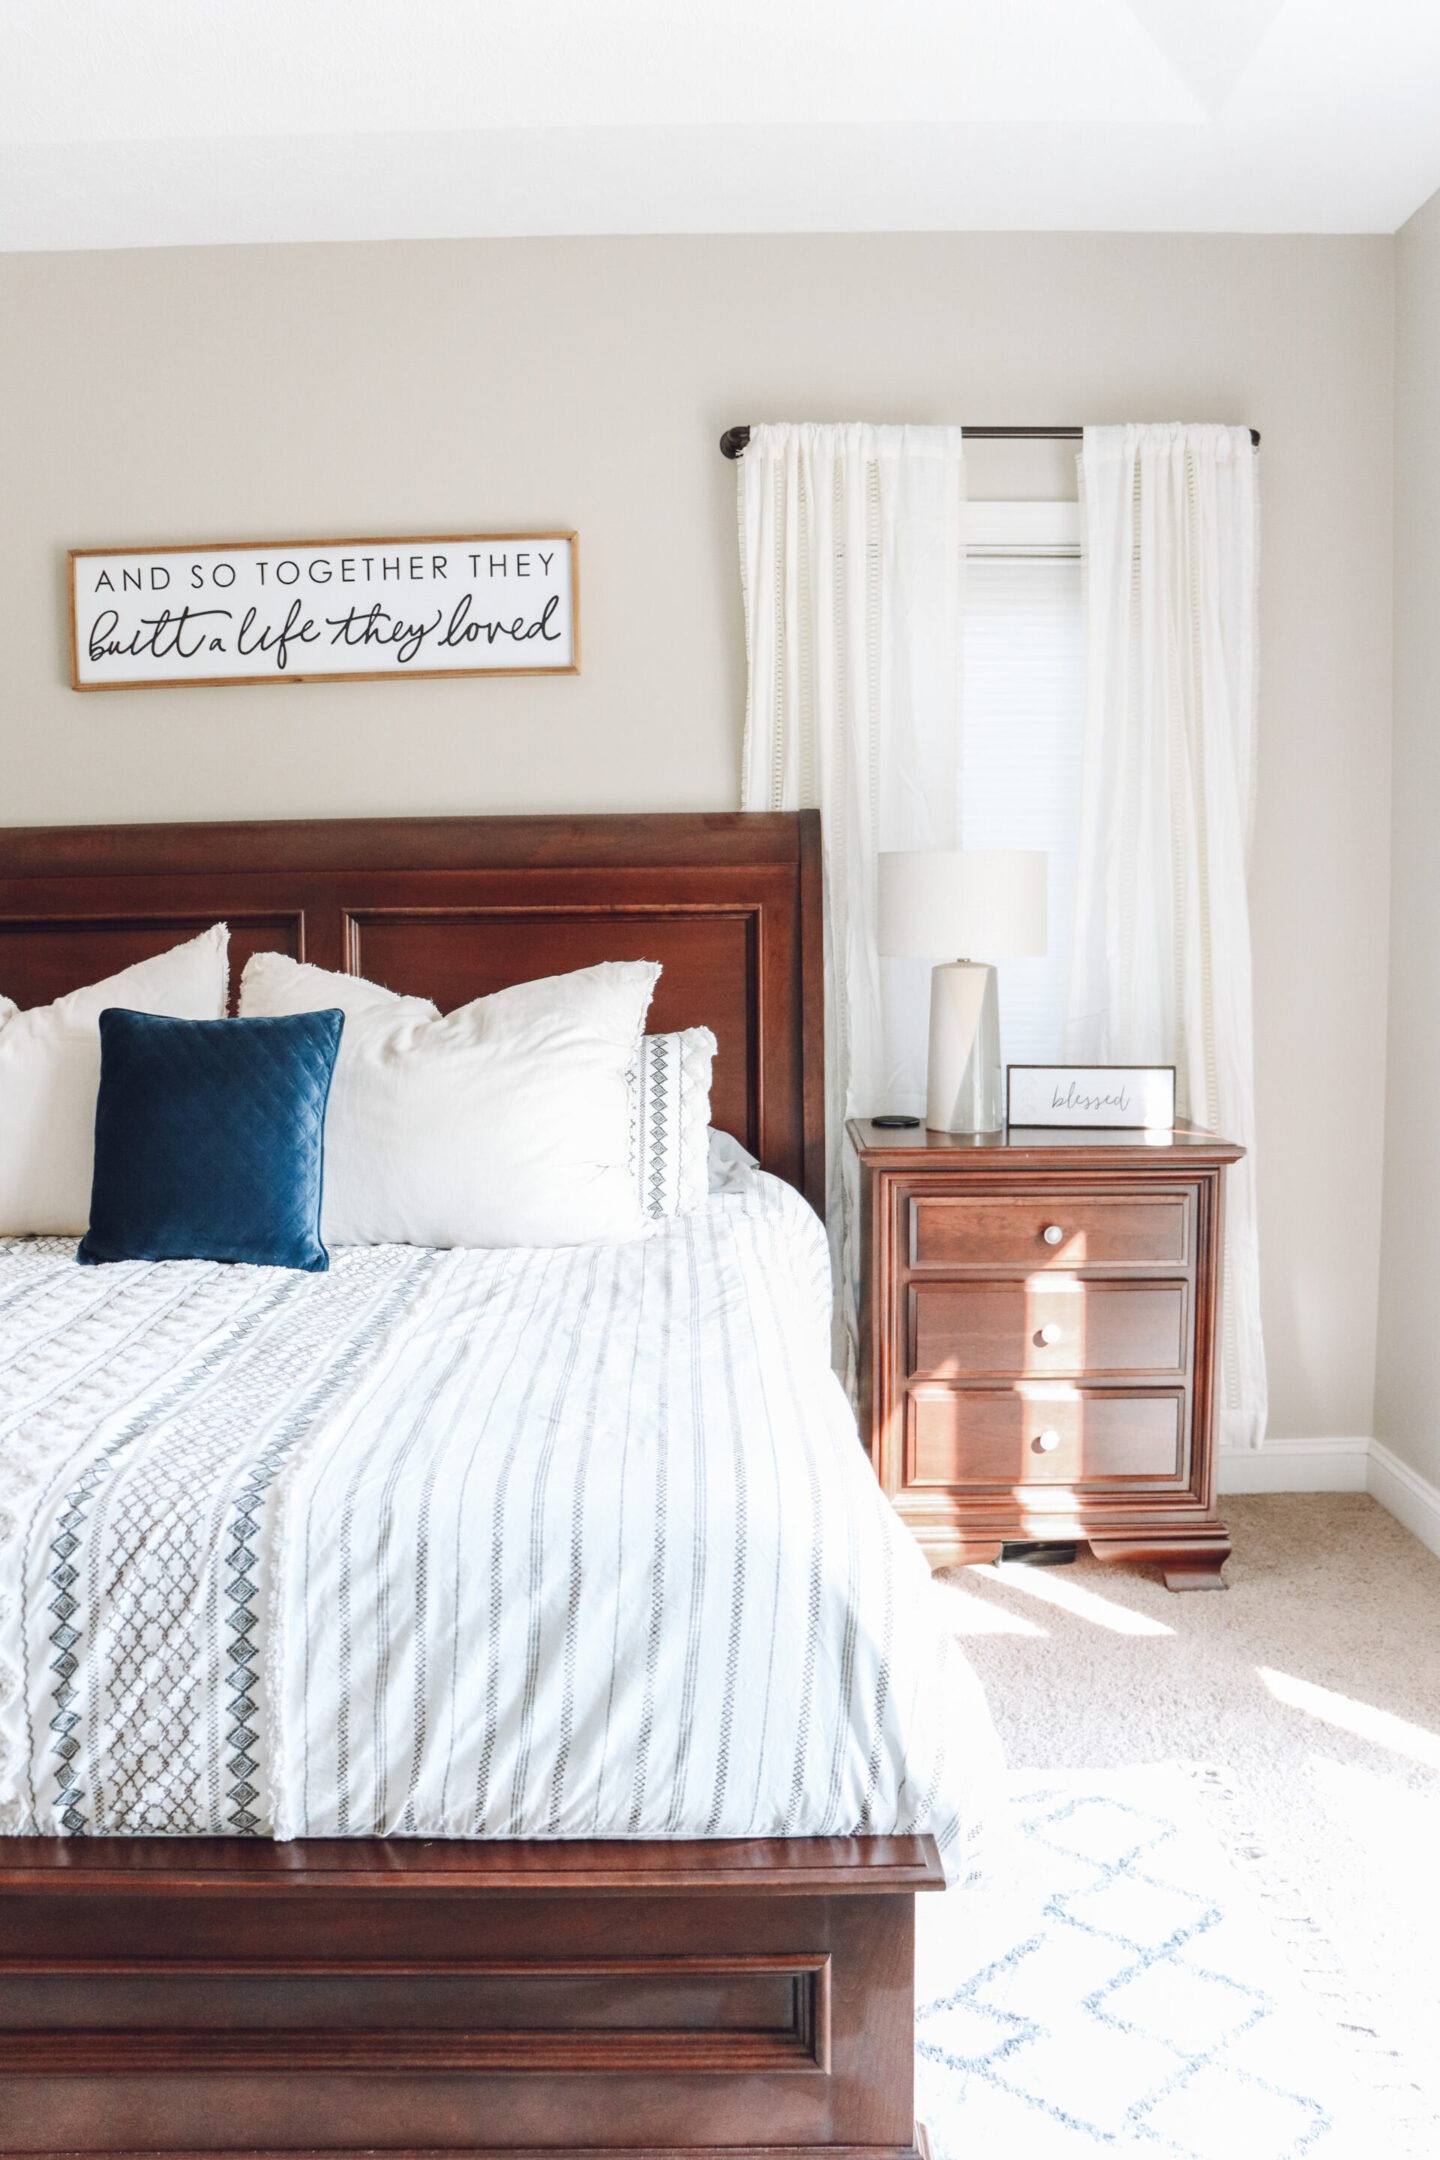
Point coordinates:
[[1132, 1230]]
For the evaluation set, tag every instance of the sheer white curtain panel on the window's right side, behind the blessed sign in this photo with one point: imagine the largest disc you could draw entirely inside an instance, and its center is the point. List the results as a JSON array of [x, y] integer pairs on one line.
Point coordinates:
[[1163, 930]]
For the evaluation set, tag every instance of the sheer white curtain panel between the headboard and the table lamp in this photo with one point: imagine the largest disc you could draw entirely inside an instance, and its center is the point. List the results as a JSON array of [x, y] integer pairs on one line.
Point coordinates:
[[854, 565]]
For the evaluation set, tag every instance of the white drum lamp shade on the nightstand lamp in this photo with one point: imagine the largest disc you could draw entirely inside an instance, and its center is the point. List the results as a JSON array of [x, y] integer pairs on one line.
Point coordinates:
[[962, 904]]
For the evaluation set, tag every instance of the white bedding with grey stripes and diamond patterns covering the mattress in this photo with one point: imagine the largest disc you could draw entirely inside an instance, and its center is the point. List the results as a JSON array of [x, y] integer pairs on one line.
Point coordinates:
[[508, 1543]]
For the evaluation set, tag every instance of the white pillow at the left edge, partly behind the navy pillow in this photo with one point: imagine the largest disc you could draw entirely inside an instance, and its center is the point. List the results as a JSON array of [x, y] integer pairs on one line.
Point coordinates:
[[51, 1077]]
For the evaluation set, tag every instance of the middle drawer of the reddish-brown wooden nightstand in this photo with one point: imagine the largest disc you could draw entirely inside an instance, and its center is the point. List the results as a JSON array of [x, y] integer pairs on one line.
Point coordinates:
[[1018, 1327]]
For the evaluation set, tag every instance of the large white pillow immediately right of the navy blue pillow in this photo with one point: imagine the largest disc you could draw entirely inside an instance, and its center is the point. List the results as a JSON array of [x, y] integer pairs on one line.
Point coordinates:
[[506, 1122]]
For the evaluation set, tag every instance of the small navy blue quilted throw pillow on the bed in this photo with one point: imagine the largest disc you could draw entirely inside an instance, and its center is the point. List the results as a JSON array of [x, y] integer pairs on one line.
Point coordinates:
[[210, 1139]]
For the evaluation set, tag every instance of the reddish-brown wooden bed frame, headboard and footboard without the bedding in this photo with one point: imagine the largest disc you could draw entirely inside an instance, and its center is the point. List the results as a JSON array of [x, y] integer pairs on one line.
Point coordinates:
[[426, 1997]]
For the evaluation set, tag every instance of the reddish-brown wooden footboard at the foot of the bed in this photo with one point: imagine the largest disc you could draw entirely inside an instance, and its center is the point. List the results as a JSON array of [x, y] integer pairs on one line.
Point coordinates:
[[230, 1997]]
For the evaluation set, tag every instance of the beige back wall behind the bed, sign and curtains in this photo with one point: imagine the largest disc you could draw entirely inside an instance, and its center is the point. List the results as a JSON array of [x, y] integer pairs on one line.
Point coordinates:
[[424, 388]]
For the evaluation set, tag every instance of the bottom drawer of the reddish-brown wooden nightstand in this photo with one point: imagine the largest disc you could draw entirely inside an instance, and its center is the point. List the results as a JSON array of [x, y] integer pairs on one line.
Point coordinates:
[[1003, 1437]]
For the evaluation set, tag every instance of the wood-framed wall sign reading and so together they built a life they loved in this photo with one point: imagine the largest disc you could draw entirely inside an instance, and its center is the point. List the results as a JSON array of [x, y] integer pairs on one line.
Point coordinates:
[[325, 610]]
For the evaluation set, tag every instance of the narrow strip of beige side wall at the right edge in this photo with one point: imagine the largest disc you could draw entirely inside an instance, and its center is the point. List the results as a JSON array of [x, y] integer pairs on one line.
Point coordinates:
[[1409, 1364]]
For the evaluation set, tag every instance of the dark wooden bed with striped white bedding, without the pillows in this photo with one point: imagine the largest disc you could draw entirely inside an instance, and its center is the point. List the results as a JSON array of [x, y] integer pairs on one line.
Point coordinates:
[[305, 1904]]
